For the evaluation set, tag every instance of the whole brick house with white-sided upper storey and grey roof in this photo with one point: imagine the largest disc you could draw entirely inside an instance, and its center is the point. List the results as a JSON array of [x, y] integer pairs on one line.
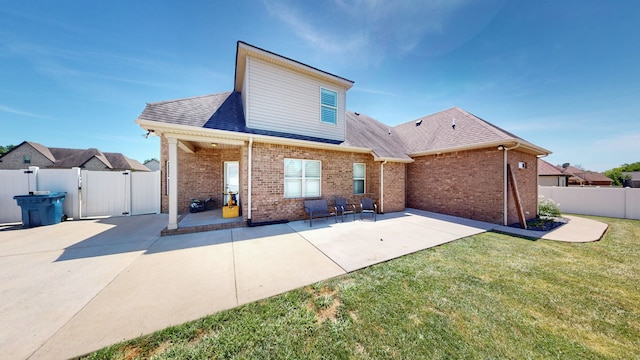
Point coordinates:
[[284, 135]]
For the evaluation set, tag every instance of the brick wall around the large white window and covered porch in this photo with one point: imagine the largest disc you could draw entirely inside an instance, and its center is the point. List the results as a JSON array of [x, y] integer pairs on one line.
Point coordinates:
[[201, 174]]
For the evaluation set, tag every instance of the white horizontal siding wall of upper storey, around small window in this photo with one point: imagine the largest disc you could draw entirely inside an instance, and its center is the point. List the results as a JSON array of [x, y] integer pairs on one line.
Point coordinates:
[[279, 99]]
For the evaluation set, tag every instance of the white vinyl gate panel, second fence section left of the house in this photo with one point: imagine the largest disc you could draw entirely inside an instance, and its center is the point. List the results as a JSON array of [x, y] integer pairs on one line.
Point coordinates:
[[105, 193]]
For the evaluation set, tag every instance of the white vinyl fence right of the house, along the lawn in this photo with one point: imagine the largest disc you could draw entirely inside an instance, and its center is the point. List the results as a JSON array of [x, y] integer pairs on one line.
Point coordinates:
[[607, 201]]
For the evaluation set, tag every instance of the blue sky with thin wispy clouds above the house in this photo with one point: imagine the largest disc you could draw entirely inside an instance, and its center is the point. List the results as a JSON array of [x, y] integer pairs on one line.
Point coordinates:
[[564, 75]]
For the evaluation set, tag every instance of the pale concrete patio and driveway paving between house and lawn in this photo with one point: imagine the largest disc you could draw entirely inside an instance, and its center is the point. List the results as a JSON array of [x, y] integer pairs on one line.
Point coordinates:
[[74, 287]]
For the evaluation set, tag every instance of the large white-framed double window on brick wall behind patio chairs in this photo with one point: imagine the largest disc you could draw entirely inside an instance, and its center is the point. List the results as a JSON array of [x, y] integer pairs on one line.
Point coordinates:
[[302, 178]]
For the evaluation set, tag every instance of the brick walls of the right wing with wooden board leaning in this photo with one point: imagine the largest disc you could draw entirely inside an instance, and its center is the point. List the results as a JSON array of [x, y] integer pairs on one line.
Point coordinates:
[[469, 184]]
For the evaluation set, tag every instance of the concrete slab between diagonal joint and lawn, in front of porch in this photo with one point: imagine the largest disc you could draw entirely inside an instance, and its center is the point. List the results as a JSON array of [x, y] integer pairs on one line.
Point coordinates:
[[180, 278]]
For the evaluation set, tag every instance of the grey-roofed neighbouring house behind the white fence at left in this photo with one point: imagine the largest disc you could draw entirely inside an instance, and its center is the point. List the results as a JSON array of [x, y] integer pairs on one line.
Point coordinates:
[[33, 154]]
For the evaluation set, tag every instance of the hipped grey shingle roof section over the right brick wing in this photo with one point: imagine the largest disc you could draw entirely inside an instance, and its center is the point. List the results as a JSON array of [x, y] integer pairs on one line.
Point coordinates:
[[435, 133]]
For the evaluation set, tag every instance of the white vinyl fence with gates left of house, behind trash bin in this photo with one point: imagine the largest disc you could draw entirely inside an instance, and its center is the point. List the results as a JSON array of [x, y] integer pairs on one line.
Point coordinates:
[[89, 193]]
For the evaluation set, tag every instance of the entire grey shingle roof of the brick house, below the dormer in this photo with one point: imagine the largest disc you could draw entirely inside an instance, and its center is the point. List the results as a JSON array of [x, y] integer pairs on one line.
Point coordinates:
[[224, 111]]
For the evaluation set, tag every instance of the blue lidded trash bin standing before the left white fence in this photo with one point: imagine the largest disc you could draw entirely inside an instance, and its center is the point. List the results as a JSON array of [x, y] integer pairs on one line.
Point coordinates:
[[41, 208]]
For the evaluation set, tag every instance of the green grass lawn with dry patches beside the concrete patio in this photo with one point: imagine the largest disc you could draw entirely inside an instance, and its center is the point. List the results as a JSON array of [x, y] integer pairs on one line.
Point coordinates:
[[486, 296]]
